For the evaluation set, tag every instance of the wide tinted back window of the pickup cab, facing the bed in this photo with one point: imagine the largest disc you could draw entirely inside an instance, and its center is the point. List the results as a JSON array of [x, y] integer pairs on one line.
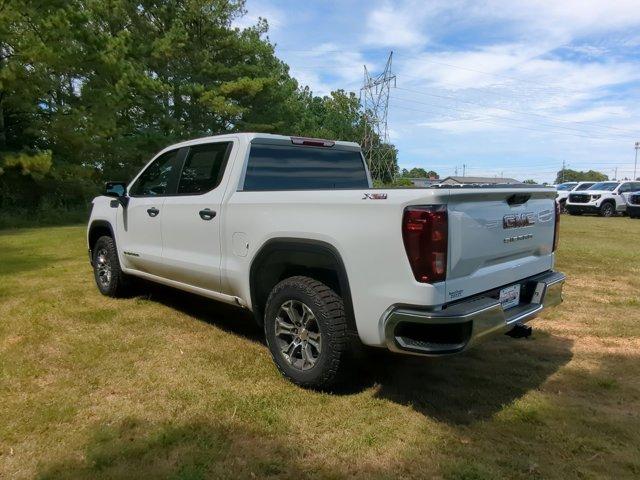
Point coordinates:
[[281, 167]]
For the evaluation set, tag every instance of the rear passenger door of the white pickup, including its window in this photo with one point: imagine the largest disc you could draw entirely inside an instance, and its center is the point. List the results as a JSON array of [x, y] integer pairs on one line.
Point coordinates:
[[193, 216]]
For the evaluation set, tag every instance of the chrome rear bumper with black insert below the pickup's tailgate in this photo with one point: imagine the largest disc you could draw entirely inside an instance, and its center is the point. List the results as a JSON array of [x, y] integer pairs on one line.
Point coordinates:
[[463, 324]]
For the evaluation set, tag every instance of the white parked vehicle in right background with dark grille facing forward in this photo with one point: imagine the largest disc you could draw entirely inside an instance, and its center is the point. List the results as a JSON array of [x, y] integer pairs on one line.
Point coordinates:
[[602, 198]]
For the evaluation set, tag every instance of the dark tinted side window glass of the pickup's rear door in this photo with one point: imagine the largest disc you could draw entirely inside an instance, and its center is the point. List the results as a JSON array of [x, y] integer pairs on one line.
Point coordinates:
[[203, 168]]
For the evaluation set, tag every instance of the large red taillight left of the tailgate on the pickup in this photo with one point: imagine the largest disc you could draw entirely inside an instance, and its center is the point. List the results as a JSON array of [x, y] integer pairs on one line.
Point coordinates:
[[424, 231]]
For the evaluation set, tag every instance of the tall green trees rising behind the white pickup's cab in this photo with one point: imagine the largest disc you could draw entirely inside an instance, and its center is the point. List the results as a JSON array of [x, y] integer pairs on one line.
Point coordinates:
[[90, 90]]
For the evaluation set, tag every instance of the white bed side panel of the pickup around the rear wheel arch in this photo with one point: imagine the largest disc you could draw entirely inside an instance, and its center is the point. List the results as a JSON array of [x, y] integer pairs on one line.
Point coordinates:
[[366, 233]]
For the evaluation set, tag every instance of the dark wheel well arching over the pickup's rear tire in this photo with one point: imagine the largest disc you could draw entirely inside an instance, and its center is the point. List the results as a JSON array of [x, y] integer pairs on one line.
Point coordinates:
[[280, 259]]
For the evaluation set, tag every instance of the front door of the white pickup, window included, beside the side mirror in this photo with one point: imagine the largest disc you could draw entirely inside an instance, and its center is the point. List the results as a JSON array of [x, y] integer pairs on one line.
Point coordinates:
[[140, 224]]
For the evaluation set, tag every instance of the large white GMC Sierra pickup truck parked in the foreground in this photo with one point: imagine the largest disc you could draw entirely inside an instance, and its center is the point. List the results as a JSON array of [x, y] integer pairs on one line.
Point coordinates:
[[291, 229]]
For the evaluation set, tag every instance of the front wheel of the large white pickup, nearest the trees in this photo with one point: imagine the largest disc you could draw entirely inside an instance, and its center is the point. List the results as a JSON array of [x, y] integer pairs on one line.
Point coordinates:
[[105, 259]]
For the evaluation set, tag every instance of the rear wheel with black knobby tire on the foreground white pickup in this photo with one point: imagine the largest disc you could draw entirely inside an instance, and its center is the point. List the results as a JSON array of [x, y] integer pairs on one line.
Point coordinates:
[[328, 317]]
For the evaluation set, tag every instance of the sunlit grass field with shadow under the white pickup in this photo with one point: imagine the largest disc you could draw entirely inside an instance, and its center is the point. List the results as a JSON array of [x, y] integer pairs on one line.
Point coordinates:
[[167, 385]]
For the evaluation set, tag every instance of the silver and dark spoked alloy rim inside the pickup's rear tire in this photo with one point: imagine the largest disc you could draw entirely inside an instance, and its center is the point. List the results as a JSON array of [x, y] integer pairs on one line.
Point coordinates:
[[298, 335]]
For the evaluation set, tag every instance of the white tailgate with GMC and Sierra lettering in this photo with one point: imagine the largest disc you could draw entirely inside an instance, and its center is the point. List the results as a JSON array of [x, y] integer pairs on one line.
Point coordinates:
[[497, 237]]
